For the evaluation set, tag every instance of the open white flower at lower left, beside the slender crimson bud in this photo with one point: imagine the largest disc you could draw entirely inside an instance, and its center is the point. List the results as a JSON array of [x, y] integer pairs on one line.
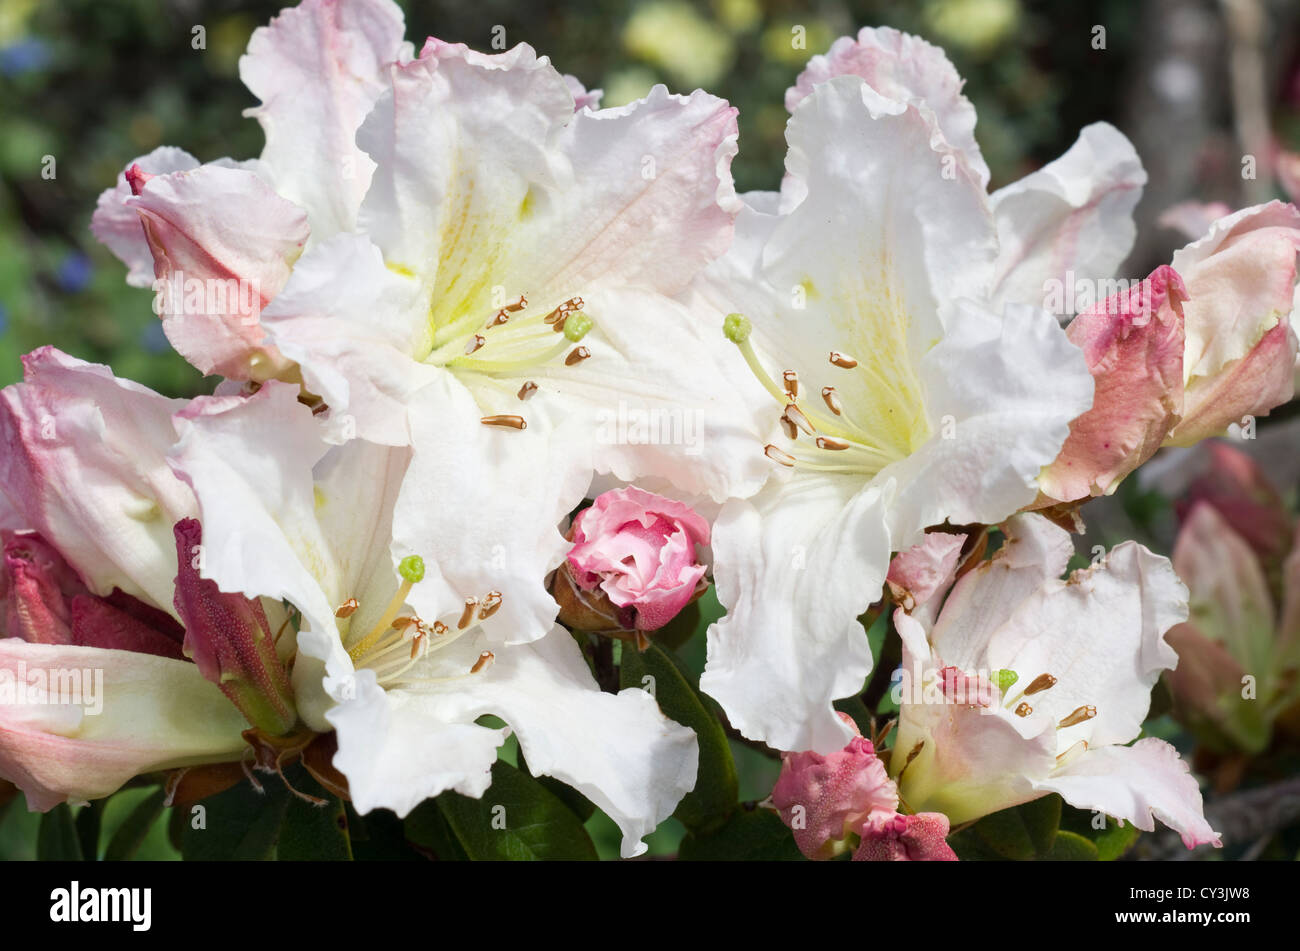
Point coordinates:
[[392, 653]]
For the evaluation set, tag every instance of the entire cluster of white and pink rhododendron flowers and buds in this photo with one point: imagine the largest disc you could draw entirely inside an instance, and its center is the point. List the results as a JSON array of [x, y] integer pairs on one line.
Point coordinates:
[[402, 518]]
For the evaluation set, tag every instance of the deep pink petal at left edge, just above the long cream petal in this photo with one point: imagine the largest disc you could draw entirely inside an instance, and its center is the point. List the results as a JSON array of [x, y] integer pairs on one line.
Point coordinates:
[[38, 585]]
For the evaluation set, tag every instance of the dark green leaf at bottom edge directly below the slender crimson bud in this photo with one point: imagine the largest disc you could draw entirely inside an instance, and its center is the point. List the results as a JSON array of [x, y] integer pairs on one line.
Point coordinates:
[[237, 826]]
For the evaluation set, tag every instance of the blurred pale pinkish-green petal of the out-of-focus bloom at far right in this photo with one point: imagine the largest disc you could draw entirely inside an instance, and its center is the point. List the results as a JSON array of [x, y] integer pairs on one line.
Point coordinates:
[[1229, 593]]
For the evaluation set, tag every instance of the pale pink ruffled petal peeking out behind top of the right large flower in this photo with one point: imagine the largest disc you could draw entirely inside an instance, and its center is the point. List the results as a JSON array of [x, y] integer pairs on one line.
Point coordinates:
[[905, 68]]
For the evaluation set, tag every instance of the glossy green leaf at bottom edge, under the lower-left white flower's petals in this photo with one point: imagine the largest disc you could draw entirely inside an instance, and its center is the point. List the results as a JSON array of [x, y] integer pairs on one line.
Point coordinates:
[[517, 820]]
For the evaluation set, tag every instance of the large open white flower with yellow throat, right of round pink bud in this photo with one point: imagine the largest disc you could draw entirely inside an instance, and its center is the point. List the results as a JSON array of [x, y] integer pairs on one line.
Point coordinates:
[[883, 302]]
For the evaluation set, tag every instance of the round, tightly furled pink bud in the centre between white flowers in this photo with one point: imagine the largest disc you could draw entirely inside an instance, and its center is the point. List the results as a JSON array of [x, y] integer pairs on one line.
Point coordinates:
[[639, 552]]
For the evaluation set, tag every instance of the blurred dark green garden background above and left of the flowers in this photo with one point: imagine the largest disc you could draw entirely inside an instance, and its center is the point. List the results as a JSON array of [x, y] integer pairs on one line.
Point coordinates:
[[93, 85]]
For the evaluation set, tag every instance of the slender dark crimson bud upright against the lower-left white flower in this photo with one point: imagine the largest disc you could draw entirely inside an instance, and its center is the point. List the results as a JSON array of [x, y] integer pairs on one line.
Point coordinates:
[[228, 637]]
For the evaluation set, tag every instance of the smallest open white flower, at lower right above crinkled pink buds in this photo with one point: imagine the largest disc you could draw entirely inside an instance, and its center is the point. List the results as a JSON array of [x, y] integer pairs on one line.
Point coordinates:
[[1029, 685]]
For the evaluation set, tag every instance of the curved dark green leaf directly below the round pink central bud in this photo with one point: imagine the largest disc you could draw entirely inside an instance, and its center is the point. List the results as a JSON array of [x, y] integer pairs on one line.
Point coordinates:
[[713, 800]]
